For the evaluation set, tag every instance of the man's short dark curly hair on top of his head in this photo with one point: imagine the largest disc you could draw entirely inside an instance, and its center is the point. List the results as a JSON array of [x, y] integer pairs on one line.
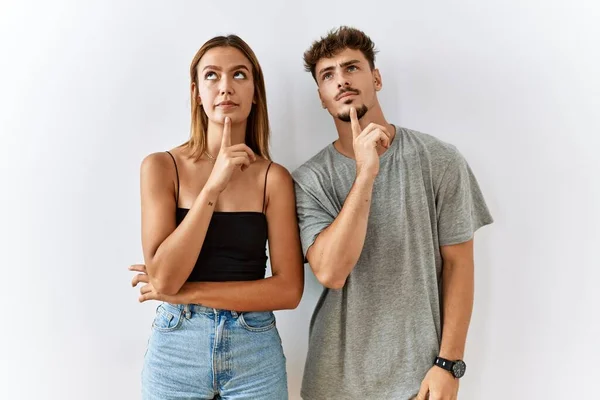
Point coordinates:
[[335, 41]]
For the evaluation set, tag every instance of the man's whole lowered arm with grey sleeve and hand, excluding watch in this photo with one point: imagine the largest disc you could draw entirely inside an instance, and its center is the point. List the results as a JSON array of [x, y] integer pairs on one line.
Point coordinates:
[[461, 212]]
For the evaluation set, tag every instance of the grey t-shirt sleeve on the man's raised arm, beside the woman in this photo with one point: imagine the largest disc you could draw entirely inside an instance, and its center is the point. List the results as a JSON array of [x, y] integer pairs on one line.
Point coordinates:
[[313, 216]]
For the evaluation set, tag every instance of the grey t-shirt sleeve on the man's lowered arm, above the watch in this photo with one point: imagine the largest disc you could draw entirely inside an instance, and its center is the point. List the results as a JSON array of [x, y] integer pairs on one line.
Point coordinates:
[[461, 208]]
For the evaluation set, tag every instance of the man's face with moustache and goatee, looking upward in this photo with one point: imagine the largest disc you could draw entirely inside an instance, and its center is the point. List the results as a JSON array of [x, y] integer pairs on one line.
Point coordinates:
[[346, 80]]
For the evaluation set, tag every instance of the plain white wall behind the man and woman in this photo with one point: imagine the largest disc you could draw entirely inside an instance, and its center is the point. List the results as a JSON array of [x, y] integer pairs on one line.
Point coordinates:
[[87, 89]]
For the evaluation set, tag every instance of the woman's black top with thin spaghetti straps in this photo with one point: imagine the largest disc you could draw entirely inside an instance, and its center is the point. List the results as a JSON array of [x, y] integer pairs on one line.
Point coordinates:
[[234, 248]]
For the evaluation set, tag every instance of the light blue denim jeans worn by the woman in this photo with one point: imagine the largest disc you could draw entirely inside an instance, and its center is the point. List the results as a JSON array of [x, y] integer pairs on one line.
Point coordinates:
[[201, 353]]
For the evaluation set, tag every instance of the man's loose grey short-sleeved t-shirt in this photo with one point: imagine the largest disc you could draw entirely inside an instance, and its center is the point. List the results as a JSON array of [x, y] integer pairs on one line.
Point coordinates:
[[377, 337]]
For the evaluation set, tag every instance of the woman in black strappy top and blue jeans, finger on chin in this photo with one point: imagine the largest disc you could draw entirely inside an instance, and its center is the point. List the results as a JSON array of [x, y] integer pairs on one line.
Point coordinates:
[[208, 208]]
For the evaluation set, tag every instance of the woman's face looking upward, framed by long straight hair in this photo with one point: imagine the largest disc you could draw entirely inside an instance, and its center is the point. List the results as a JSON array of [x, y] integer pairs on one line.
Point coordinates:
[[225, 84]]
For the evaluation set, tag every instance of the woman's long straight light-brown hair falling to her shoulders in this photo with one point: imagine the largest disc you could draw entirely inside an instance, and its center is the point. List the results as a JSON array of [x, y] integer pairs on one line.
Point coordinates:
[[257, 127]]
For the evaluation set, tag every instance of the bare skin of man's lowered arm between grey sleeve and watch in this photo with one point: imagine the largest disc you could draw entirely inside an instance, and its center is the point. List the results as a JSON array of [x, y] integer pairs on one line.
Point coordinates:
[[457, 298]]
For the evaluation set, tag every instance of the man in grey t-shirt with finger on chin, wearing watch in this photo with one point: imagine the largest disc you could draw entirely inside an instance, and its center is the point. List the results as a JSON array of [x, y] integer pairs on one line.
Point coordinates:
[[387, 218]]
